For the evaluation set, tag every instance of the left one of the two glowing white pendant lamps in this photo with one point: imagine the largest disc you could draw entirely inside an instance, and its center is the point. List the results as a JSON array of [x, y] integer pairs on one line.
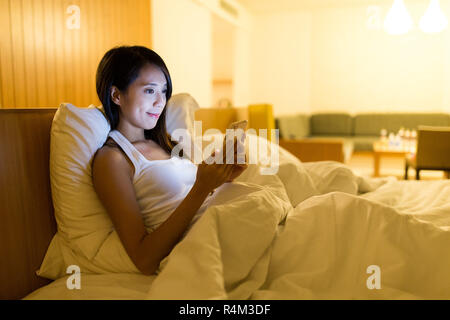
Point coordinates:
[[398, 21]]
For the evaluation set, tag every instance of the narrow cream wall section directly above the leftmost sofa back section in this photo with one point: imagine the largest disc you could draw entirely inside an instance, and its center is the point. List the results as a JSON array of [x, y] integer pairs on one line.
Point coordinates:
[[281, 61]]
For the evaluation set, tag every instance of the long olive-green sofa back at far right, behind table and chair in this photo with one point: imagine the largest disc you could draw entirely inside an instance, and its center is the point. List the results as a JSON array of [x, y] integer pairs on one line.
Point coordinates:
[[370, 124]]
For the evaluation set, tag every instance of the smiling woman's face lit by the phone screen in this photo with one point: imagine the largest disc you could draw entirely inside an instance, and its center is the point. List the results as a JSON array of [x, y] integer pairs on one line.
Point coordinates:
[[144, 100]]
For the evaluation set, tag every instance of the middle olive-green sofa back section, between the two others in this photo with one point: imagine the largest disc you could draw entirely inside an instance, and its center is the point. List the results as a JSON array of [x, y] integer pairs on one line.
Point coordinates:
[[331, 124]]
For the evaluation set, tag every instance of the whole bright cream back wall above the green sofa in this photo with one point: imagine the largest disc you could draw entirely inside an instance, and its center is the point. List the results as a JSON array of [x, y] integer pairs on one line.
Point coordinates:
[[325, 59]]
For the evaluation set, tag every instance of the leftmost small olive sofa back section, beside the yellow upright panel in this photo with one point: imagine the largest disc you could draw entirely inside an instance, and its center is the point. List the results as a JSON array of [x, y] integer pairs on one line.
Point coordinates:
[[293, 126]]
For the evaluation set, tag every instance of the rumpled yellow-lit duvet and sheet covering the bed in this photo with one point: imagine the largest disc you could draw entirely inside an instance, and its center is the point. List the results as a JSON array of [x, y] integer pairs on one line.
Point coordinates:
[[311, 231]]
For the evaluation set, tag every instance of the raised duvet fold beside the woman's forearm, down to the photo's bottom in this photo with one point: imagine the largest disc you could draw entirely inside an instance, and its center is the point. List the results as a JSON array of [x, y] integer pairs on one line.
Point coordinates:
[[227, 252]]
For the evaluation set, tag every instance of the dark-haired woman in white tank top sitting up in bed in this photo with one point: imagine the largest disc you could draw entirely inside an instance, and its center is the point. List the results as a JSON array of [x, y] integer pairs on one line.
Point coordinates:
[[140, 184]]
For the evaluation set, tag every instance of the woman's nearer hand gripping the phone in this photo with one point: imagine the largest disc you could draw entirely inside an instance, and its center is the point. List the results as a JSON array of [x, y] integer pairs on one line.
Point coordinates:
[[213, 175]]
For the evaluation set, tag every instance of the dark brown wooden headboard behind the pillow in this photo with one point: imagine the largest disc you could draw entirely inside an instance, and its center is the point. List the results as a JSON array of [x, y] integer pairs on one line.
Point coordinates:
[[26, 211]]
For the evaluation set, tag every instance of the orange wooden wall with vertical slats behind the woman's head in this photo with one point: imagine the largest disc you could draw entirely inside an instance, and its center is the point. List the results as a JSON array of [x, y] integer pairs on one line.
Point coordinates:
[[43, 63]]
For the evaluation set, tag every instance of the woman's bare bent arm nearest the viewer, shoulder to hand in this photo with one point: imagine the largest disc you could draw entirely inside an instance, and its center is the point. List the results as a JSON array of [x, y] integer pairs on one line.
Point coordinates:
[[112, 178]]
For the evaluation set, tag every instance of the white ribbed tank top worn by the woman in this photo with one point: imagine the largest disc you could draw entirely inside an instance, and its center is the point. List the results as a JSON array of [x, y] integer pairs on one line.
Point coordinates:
[[160, 185]]
